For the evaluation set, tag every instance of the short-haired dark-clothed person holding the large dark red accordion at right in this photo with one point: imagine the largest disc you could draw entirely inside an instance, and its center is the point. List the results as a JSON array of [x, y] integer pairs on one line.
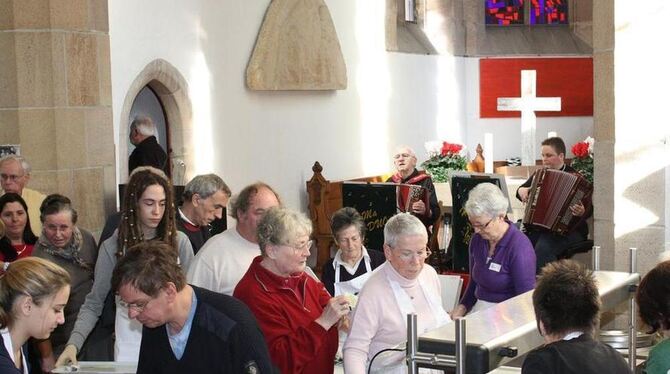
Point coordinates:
[[550, 245]]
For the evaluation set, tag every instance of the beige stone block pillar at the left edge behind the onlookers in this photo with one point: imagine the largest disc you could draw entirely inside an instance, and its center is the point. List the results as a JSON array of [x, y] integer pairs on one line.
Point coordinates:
[[56, 99]]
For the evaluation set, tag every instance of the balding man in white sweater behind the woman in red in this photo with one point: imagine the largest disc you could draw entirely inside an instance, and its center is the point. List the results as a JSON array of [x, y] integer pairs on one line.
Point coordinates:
[[223, 260]]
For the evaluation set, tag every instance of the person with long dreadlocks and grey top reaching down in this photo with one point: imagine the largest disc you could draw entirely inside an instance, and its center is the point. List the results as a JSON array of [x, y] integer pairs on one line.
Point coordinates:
[[148, 213]]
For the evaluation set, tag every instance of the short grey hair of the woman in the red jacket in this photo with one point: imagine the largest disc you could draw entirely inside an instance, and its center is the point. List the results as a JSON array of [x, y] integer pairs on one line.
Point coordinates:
[[281, 226]]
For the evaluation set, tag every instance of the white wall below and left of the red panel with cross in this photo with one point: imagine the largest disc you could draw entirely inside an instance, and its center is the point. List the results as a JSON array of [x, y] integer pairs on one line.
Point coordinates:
[[507, 131]]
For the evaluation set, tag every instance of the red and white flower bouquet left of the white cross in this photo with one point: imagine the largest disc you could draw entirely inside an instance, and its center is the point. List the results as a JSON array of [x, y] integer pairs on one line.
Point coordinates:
[[443, 159]]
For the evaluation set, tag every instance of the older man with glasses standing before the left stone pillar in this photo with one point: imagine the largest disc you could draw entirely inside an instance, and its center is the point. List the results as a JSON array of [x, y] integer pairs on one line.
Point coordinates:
[[14, 176]]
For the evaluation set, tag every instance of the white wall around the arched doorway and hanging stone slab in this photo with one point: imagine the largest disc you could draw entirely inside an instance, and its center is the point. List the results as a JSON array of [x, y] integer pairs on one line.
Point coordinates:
[[245, 135]]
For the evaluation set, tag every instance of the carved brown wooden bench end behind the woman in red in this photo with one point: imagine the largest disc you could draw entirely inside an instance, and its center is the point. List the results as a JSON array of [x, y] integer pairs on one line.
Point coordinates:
[[325, 197]]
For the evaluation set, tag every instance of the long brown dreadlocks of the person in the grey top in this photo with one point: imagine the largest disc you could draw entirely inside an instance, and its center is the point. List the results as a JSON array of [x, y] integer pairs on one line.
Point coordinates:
[[130, 231]]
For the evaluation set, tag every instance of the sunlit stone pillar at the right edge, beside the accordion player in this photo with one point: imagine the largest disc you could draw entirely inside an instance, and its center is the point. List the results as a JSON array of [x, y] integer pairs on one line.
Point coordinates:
[[630, 119]]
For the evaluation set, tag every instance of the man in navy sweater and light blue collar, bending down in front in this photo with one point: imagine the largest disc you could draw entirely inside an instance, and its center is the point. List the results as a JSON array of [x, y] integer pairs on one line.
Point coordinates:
[[186, 328]]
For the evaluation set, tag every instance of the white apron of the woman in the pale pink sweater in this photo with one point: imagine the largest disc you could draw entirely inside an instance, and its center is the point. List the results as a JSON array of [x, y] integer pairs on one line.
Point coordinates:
[[405, 304]]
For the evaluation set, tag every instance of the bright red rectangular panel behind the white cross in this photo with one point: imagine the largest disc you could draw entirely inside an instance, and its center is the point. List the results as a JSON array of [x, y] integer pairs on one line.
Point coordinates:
[[571, 79]]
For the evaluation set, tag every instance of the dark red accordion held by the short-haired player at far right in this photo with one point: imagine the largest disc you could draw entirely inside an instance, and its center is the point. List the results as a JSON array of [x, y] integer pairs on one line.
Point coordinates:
[[551, 195]]
